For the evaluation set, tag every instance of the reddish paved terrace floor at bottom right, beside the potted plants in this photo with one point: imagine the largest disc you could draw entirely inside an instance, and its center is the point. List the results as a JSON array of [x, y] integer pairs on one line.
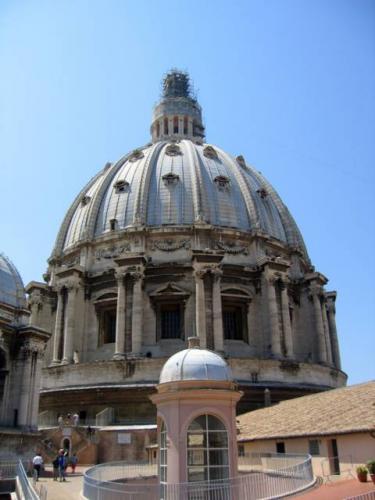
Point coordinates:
[[337, 490]]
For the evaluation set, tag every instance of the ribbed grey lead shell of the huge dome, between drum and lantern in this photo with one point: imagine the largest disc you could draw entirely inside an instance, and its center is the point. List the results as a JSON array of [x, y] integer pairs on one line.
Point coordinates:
[[177, 183]]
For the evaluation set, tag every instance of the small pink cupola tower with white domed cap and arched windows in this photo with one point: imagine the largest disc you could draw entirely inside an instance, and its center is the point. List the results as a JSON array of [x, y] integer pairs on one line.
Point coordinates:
[[196, 412]]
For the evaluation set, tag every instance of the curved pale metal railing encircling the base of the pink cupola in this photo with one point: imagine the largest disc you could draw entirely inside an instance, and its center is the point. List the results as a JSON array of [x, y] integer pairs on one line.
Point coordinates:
[[268, 476]]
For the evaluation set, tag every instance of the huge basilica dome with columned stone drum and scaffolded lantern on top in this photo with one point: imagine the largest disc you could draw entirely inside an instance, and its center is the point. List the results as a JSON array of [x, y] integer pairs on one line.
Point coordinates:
[[179, 238]]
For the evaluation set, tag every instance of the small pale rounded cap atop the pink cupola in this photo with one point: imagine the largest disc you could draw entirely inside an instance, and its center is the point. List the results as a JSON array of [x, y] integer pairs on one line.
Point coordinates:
[[195, 364]]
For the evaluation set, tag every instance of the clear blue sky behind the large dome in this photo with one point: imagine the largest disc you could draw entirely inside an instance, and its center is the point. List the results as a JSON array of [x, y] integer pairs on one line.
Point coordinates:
[[290, 84]]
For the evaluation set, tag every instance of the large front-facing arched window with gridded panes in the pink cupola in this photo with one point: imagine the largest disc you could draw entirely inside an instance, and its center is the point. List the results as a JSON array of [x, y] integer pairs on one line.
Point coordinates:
[[207, 449]]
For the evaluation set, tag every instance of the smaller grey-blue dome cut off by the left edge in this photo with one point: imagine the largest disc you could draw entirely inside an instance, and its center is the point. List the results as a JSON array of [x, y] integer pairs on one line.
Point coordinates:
[[12, 291]]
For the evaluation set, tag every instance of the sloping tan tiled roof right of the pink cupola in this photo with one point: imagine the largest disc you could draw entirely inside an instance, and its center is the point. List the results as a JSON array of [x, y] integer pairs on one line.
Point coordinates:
[[338, 411]]
